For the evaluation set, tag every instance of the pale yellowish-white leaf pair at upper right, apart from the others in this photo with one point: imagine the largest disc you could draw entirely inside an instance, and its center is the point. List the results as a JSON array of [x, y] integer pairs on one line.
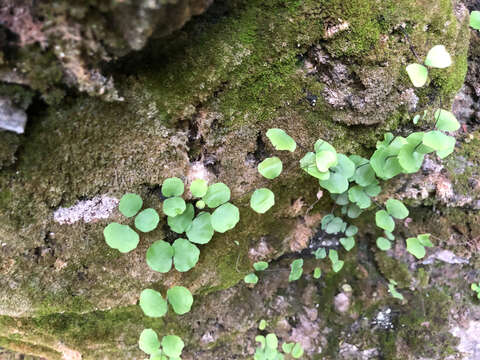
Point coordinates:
[[437, 57]]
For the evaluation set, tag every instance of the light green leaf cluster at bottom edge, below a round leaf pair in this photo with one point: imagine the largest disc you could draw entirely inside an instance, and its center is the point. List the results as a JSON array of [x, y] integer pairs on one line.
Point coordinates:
[[170, 348]]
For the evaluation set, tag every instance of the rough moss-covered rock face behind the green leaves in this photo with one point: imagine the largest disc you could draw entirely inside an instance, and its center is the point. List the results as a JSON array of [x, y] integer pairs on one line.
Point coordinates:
[[198, 103]]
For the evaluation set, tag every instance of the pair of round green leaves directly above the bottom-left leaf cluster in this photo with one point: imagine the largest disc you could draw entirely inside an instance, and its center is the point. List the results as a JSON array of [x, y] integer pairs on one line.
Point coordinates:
[[154, 305]]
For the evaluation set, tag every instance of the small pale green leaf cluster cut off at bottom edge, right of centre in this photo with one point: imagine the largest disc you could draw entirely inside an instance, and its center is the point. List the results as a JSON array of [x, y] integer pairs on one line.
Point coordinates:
[[268, 348]]
